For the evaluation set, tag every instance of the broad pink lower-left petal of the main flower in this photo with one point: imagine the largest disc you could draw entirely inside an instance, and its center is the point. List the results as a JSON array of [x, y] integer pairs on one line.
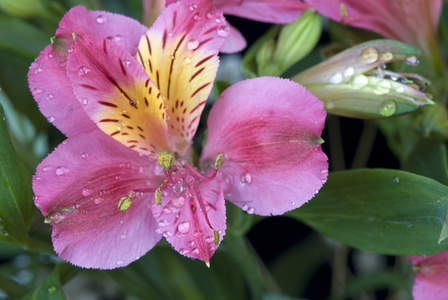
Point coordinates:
[[78, 187]]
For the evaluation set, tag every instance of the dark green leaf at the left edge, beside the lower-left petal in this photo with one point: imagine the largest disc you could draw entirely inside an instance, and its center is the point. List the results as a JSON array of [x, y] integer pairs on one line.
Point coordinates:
[[16, 205]]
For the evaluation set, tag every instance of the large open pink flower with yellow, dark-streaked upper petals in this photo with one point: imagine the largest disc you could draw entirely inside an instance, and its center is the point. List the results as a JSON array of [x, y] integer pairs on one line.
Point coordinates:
[[120, 102]]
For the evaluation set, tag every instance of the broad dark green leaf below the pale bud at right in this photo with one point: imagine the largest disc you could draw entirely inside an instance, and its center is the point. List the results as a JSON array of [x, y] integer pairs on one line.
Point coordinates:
[[384, 211]]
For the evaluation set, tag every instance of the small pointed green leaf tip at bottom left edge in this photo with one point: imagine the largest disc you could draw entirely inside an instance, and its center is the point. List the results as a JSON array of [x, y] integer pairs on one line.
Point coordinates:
[[48, 290]]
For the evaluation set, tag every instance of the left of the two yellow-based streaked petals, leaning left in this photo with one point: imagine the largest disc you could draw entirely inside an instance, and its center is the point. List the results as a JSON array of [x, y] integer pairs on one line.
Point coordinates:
[[118, 95]]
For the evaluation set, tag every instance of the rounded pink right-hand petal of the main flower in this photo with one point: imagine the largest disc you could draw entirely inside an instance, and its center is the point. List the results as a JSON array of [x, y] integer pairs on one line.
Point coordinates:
[[268, 131]]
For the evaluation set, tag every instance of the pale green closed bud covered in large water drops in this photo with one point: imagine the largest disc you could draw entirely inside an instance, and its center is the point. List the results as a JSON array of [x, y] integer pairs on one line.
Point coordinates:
[[355, 83]]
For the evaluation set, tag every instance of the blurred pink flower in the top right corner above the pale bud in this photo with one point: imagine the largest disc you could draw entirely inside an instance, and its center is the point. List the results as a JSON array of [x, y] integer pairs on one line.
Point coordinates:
[[413, 22]]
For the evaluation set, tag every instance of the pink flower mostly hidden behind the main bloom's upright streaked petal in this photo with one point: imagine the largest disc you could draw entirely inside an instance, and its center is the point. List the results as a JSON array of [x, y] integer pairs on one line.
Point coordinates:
[[269, 11]]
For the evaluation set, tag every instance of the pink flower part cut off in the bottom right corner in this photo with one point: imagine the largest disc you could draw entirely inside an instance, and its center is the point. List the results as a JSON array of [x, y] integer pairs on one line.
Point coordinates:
[[431, 281]]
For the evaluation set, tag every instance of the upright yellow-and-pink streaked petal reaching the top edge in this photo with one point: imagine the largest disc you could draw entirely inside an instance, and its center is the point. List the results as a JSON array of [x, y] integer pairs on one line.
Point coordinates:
[[180, 55]]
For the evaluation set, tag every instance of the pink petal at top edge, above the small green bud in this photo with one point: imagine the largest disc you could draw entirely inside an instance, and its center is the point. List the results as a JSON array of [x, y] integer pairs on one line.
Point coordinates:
[[269, 11]]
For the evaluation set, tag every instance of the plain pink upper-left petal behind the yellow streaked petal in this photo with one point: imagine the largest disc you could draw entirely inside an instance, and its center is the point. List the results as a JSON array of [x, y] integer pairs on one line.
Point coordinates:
[[47, 76]]
